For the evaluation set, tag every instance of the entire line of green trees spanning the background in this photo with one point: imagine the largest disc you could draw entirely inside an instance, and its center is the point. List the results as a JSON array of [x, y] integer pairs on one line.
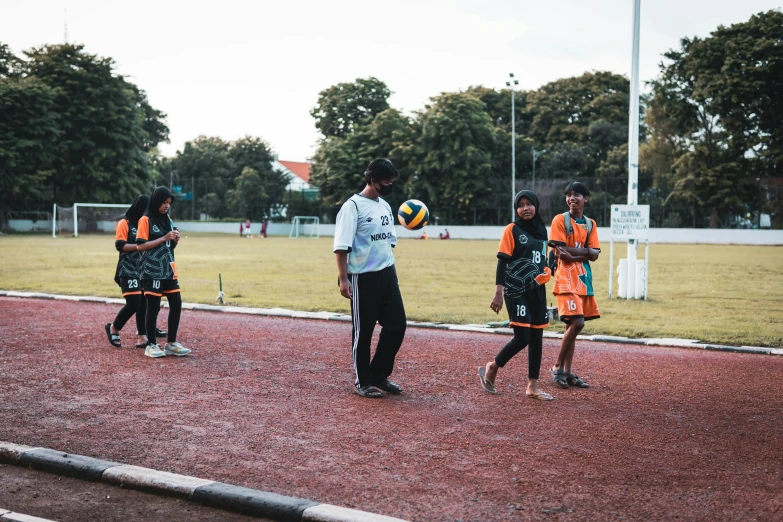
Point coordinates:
[[72, 129]]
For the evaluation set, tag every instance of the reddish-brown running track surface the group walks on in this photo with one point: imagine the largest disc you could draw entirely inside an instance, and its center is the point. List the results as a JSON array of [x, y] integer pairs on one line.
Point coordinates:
[[266, 403]]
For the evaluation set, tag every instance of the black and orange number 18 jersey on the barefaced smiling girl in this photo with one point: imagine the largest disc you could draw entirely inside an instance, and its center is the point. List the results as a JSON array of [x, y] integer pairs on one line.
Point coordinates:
[[525, 259]]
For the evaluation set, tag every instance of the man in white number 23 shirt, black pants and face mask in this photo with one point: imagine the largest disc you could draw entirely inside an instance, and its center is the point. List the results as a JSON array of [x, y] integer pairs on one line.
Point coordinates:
[[363, 240]]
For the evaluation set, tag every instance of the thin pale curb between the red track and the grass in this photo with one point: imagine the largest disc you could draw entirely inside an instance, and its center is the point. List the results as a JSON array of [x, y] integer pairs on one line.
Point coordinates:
[[332, 316]]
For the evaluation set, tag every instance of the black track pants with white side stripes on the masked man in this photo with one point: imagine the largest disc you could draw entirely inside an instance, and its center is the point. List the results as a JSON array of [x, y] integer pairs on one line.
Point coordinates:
[[376, 298]]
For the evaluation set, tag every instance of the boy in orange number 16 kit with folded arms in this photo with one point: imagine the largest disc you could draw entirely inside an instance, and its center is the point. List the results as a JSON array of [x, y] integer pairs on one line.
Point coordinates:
[[576, 244]]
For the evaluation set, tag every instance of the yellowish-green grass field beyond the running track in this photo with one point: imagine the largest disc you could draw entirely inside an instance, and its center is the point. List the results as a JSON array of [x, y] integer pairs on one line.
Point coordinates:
[[720, 294]]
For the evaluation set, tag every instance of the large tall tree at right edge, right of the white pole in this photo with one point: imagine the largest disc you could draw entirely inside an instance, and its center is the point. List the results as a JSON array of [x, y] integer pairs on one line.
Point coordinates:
[[720, 97]]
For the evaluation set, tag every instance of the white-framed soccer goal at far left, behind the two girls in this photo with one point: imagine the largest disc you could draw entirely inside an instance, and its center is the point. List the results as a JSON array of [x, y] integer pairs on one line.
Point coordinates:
[[86, 218]]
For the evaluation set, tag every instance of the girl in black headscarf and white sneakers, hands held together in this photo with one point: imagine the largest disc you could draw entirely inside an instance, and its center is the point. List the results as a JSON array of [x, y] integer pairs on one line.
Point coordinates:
[[157, 238]]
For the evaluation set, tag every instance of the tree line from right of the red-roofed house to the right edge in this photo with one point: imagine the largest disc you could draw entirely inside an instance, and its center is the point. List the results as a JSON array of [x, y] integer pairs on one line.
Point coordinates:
[[711, 142]]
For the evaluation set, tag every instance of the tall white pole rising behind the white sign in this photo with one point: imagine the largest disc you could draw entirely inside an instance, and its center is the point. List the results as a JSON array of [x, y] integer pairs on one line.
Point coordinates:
[[633, 139]]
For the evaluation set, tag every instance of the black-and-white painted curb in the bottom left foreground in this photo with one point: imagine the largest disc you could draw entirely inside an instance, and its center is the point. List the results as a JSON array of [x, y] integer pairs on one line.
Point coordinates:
[[246, 501]]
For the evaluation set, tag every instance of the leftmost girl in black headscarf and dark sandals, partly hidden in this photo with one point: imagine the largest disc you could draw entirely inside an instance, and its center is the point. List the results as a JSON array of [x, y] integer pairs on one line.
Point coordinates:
[[127, 275]]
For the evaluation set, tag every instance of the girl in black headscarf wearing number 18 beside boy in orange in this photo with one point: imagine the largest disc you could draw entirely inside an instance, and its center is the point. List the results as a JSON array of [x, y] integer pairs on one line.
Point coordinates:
[[519, 279]]
